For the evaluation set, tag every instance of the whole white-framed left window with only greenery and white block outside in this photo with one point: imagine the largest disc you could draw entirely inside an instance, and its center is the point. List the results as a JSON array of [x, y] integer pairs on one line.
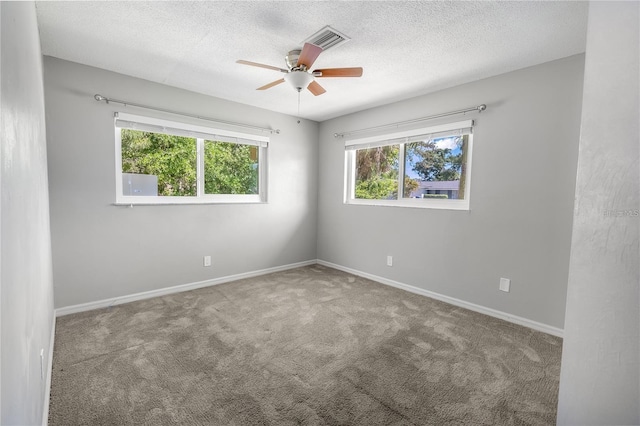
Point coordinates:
[[165, 162]]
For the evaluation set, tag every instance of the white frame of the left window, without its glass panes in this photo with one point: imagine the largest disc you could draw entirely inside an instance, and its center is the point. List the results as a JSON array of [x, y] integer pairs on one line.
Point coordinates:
[[200, 134]]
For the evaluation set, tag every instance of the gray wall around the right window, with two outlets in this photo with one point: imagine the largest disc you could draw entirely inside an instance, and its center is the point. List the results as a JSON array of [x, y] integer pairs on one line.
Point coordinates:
[[522, 186]]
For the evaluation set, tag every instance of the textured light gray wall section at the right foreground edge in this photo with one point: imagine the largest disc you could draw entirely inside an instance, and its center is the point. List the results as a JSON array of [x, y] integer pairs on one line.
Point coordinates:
[[599, 382]]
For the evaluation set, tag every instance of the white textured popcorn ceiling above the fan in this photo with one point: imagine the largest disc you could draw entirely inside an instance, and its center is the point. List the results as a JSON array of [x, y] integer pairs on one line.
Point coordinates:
[[406, 48]]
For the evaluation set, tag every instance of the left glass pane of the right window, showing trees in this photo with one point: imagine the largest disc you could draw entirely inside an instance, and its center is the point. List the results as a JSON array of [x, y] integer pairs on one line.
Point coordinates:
[[377, 173]]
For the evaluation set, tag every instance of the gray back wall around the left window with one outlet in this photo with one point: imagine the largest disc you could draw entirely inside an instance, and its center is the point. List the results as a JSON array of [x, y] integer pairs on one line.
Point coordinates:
[[102, 251]]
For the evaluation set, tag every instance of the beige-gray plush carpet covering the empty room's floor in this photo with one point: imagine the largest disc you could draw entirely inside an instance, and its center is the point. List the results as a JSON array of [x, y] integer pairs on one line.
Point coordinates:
[[309, 346]]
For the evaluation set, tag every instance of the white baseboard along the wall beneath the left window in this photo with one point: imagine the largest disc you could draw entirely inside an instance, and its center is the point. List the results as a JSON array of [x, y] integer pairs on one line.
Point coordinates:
[[175, 289]]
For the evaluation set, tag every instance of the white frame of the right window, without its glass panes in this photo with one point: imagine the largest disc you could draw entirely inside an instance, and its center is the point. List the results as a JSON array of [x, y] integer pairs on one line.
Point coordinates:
[[401, 138]]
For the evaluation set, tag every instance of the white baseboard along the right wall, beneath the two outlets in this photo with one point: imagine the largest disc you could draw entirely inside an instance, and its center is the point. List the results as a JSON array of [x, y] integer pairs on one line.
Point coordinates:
[[452, 300]]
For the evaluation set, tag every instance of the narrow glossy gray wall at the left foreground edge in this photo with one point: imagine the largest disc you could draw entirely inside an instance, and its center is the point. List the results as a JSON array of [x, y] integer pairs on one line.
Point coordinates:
[[26, 281]]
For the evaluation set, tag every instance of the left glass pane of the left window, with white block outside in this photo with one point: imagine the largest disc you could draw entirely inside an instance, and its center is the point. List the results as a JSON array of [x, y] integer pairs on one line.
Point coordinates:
[[157, 164]]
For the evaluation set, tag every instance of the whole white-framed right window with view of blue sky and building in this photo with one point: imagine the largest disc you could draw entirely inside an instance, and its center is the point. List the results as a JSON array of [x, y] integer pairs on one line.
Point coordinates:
[[427, 167]]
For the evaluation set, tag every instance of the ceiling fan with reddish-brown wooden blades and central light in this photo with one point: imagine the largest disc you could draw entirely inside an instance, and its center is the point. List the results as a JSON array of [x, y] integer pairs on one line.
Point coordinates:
[[298, 72]]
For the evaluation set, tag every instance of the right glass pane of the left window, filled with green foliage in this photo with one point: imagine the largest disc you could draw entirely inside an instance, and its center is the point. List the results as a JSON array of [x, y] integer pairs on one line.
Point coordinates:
[[230, 168]]
